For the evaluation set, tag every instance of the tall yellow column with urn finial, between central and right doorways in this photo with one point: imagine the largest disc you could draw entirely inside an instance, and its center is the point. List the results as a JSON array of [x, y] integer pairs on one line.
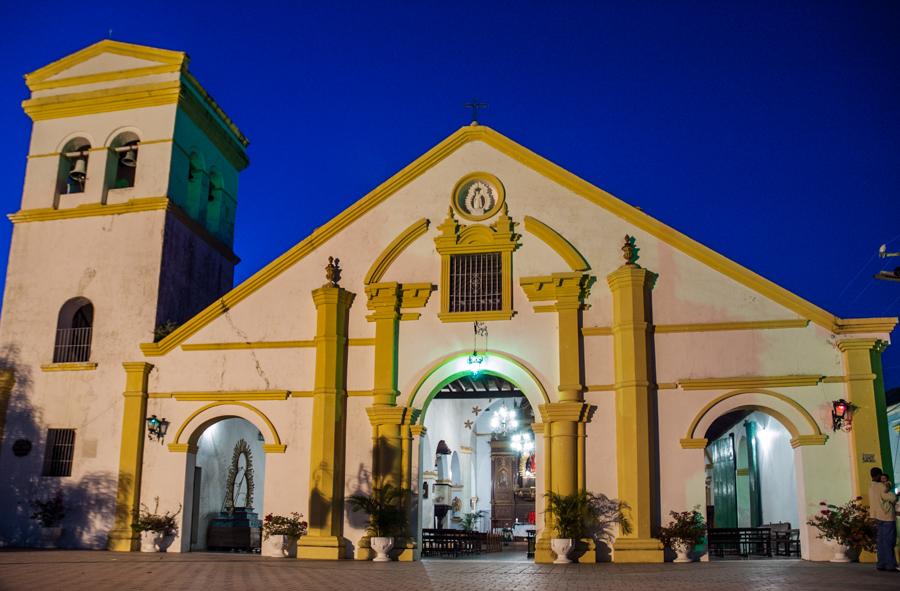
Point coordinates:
[[631, 290]]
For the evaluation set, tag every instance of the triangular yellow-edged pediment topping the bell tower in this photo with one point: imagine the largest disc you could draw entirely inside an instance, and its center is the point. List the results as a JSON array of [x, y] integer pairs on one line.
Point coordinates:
[[105, 60]]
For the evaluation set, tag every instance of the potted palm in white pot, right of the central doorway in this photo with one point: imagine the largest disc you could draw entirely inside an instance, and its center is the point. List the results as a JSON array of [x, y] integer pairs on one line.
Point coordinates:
[[581, 514]]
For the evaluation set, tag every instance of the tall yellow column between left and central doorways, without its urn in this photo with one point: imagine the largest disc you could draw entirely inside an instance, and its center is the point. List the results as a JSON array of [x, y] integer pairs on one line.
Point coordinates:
[[325, 539]]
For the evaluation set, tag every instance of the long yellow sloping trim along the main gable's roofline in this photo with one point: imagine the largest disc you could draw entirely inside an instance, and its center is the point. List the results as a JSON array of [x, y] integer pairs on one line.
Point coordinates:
[[540, 165]]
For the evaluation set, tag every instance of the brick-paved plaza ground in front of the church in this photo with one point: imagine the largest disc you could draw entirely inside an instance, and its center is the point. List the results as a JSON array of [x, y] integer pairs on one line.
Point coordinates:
[[99, 571]]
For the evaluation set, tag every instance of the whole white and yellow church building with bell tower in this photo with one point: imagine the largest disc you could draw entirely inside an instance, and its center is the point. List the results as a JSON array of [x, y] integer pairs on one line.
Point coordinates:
[[650, 368]]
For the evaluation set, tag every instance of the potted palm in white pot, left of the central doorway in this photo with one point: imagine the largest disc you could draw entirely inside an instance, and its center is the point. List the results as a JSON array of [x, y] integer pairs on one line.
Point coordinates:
[[386, 508]]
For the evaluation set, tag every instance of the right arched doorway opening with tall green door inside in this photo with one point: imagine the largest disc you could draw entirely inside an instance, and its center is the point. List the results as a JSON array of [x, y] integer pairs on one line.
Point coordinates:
[[751, 487]]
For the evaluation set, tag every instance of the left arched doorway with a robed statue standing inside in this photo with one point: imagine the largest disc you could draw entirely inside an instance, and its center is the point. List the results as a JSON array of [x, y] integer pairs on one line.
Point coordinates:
[[225, 493]]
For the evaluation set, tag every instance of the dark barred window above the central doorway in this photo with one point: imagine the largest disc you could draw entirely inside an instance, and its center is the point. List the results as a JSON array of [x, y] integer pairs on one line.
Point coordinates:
[[476, 282]]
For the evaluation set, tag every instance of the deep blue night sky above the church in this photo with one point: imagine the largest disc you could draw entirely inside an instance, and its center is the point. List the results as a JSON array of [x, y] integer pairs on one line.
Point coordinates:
[[769, 131]]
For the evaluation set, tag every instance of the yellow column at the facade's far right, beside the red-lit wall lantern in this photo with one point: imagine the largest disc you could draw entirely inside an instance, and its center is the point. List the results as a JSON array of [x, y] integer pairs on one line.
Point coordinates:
[[865, 444]]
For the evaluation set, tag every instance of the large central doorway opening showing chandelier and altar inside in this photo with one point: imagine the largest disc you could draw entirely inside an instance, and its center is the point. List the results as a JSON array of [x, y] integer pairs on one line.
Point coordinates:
[[478, 471]]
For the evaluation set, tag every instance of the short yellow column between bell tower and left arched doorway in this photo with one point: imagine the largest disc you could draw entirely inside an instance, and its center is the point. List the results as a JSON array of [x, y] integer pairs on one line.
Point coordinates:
[[123, 538]]
